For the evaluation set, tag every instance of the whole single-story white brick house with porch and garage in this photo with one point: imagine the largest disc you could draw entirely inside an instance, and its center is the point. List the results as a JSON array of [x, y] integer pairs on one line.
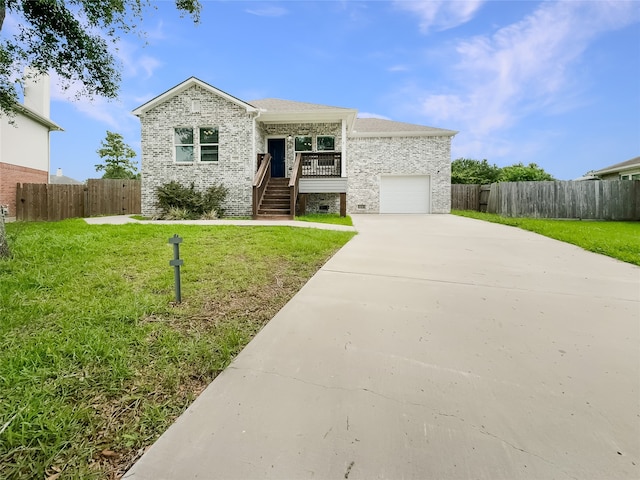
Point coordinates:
[[195, 133]]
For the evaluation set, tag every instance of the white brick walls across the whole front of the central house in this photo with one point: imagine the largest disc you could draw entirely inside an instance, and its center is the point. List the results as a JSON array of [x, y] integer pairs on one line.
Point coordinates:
[[243, 134]]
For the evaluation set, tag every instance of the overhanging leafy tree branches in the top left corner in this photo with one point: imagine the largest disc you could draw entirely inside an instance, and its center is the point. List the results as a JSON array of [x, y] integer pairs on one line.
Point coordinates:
[[71, 38]]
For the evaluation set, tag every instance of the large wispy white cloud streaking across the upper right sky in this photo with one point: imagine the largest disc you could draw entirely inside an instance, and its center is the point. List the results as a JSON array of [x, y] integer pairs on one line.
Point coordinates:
[[521, 69]]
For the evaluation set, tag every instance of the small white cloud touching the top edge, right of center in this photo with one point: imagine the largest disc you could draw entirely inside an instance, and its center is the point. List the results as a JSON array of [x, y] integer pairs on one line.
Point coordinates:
[[441, 14]]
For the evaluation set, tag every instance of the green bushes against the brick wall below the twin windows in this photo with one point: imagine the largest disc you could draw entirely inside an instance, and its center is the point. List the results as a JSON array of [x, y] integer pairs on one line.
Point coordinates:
[[173, 197]]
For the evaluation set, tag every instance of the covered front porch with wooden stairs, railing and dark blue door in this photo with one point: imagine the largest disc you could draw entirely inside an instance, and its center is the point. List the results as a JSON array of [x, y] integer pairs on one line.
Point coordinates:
[[300, 152]]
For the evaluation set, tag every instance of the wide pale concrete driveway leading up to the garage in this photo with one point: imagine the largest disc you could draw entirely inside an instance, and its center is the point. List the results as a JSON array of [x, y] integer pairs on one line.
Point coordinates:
[[430, 347]]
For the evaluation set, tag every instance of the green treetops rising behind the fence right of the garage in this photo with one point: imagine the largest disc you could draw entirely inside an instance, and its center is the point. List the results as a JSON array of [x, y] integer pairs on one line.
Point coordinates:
[[470, 171]]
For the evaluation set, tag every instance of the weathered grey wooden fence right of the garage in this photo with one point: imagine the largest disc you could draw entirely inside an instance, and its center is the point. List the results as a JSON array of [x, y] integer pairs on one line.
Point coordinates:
[[592, 200]]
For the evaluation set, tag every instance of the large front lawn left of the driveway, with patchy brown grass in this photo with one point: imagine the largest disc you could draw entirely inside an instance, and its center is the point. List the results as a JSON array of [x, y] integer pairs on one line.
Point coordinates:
[[95, 359]]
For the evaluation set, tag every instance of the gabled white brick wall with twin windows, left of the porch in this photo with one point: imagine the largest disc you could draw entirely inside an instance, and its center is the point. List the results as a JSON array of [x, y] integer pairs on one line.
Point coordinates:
[[235, 167]]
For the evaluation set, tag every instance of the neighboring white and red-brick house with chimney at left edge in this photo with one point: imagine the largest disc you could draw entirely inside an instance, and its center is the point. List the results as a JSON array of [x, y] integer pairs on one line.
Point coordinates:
[[24, 144]]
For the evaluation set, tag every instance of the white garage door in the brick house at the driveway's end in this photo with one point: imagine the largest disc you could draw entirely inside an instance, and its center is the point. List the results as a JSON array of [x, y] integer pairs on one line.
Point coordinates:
[[405, 194]]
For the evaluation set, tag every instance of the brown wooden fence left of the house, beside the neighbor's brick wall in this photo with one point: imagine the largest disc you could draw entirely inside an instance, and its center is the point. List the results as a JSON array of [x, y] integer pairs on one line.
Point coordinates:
[[35, 201]]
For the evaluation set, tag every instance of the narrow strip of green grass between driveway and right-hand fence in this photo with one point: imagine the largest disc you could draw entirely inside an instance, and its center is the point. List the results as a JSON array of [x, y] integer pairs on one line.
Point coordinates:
[[619, 240]]
